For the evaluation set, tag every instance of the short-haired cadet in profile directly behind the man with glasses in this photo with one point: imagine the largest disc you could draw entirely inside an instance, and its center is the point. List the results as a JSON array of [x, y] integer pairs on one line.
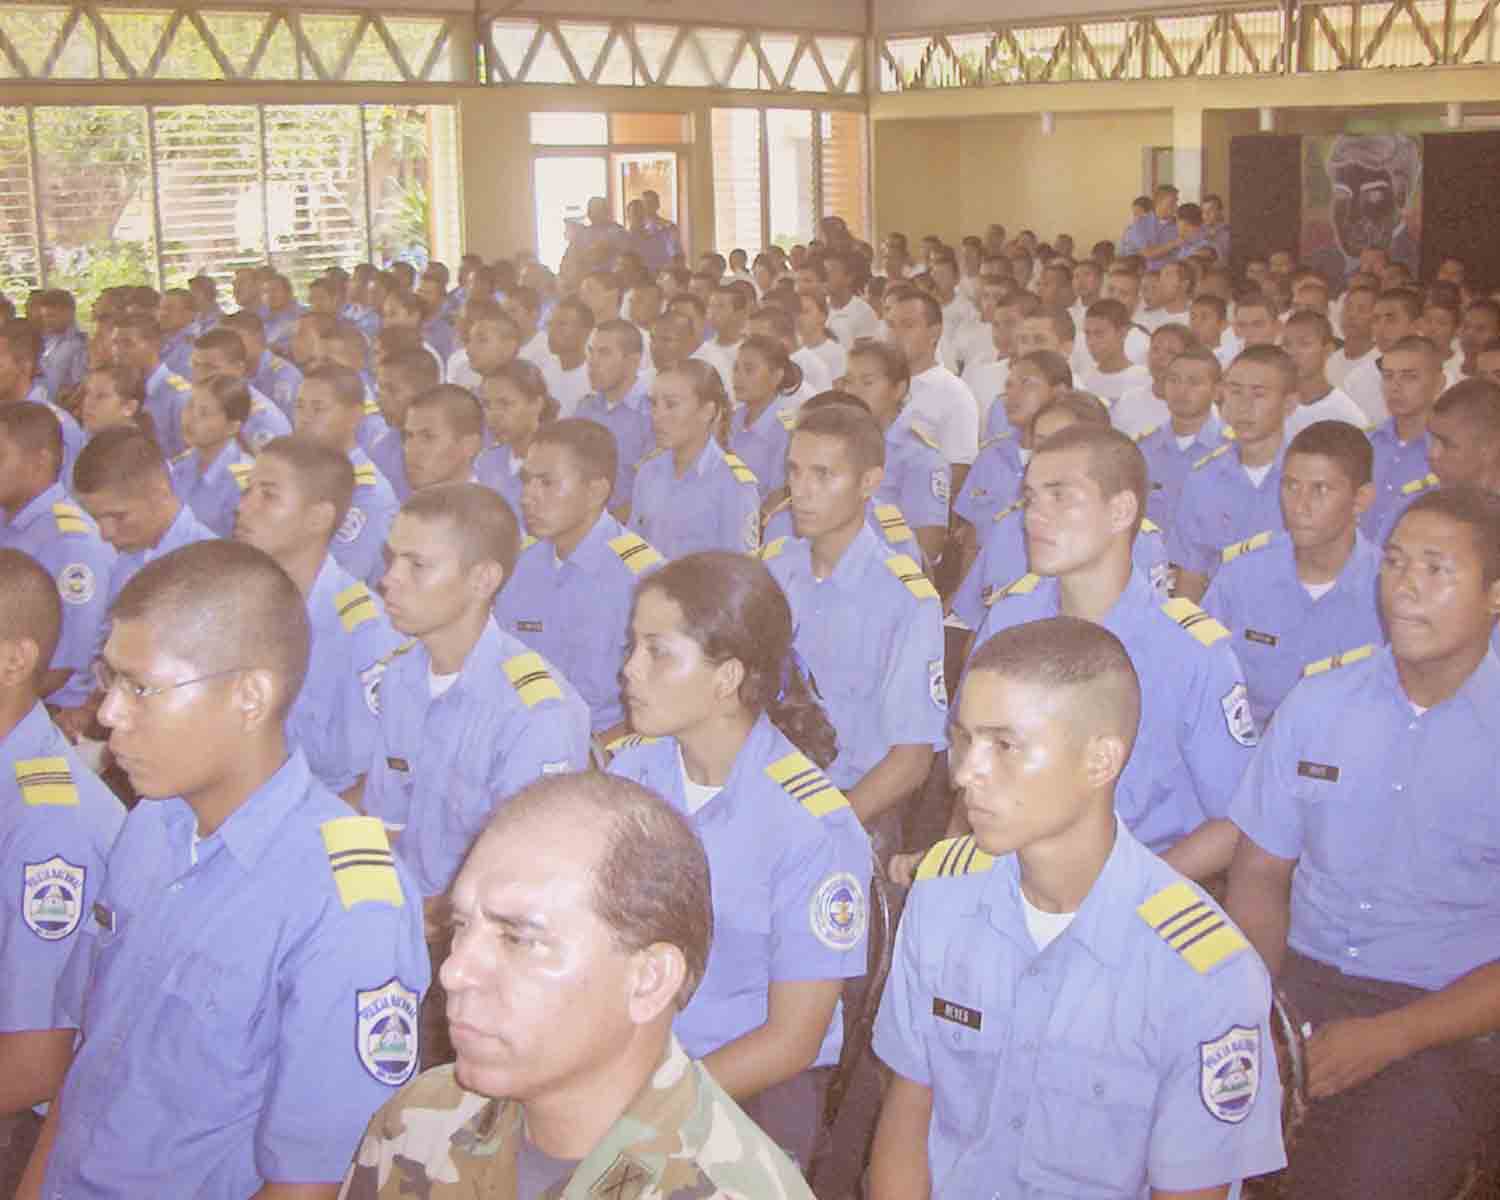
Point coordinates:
[[298, 499]]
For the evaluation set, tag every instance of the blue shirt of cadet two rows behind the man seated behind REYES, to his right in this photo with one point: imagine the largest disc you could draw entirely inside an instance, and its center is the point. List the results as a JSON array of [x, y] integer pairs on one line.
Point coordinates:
[[1219, 508]]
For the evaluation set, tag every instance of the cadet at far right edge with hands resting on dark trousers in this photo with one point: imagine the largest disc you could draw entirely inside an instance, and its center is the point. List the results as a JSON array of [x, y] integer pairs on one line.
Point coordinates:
[[1367, 872]]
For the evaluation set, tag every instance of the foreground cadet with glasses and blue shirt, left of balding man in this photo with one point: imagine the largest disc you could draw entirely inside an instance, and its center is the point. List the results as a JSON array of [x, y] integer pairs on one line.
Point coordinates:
[[247, 986]]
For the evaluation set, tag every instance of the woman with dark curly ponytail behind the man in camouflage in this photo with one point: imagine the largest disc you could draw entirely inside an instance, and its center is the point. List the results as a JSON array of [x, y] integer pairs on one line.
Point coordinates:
[[730, 733]]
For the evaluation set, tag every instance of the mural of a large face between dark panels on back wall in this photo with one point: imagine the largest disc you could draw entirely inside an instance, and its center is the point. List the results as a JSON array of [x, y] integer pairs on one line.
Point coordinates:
[[1361, 191]]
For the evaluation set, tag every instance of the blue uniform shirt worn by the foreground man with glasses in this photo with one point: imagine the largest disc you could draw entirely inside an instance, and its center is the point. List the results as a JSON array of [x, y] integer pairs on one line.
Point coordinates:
[[245, 1004]]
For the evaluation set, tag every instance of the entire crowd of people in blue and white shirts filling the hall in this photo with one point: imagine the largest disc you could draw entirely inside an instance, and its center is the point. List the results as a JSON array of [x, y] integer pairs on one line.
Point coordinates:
[[460, 725]]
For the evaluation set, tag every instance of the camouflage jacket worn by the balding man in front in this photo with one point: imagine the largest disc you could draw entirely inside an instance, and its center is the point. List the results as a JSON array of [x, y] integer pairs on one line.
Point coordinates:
[[682, 1139]]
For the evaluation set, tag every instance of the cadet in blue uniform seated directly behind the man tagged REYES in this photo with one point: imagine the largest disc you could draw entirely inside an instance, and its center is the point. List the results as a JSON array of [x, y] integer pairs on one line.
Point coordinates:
[[1085, 496]]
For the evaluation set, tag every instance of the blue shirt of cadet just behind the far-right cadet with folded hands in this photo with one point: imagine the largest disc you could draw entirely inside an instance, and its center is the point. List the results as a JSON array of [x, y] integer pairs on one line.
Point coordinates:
[[1279, 628]]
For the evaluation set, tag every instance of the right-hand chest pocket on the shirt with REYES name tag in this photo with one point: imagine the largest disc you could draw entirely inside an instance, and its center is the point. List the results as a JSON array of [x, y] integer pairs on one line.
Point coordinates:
[[1090, 1126]]
